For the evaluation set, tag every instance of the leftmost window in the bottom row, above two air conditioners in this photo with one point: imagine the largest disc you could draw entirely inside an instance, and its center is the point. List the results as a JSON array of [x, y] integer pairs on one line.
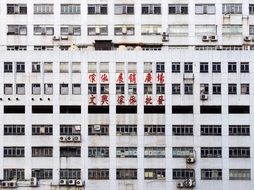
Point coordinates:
[[14, 174]]
